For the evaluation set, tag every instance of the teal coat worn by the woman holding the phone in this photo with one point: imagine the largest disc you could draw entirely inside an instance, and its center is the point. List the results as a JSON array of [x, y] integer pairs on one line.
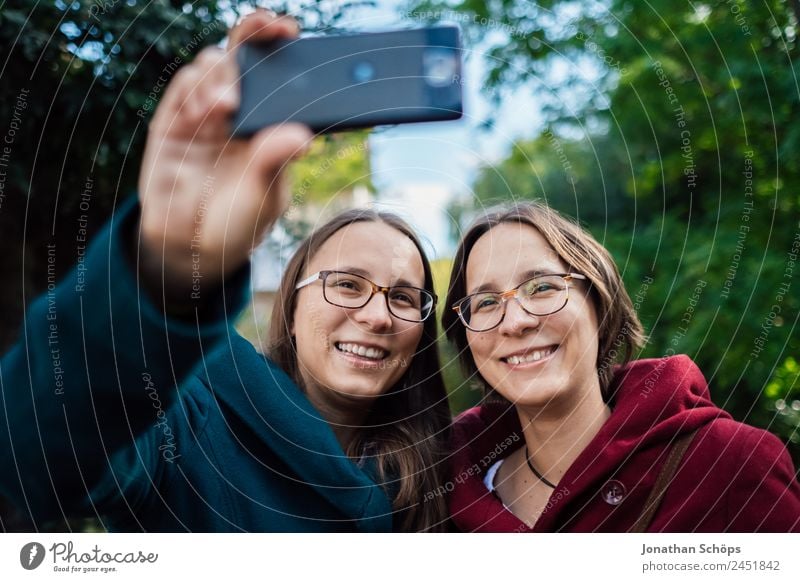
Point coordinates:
[[96, 425]]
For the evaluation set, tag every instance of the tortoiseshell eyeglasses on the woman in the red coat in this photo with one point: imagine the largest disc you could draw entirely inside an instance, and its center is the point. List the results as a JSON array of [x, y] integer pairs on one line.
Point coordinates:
[[542, 295]]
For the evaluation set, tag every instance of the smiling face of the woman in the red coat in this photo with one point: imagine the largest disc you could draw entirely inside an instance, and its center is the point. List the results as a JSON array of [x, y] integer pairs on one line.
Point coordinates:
[[531, 361]]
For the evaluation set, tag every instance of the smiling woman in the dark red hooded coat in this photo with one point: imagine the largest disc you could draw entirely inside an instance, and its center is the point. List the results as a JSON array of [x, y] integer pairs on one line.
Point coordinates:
[[566, 440]]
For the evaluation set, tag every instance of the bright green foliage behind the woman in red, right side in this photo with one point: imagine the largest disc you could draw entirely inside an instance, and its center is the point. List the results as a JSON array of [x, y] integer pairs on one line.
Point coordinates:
[[679, 122]]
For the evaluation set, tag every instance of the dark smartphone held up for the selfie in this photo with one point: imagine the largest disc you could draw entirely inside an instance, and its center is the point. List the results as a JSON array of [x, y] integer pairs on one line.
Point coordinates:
[[334, 83]]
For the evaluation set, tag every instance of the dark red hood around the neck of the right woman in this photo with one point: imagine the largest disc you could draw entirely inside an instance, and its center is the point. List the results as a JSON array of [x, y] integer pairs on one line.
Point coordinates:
[[653, 402]]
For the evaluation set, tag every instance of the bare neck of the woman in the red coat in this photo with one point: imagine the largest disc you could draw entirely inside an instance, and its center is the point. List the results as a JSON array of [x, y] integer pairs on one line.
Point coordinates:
[[557, 434]]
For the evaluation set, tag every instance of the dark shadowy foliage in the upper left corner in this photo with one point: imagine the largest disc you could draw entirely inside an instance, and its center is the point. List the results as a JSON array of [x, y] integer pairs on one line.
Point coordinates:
[[79, 82]]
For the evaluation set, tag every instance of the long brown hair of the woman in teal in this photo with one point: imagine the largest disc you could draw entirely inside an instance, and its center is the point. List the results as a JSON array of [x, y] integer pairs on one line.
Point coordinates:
[[407, 429]]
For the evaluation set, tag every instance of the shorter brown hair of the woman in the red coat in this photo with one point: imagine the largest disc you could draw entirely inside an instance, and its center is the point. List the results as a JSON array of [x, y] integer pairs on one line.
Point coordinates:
[[620, 331]]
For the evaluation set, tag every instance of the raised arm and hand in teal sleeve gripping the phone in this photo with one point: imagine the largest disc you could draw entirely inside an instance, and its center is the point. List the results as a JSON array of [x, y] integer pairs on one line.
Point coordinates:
[[157, 292]]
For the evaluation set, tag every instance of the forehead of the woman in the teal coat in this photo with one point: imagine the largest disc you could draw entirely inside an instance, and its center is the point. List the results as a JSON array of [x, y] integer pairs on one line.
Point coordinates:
[[382, 252]]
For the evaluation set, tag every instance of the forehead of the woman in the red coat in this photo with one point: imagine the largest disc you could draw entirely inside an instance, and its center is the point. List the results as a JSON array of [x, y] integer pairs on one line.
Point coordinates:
[[501, 256]]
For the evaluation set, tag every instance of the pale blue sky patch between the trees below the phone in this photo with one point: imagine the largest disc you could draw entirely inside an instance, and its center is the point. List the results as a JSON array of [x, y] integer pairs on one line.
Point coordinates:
[[419, 168]]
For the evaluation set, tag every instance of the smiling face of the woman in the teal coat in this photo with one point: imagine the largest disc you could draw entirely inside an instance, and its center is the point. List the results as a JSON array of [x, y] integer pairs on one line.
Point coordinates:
[[352, 354]]
